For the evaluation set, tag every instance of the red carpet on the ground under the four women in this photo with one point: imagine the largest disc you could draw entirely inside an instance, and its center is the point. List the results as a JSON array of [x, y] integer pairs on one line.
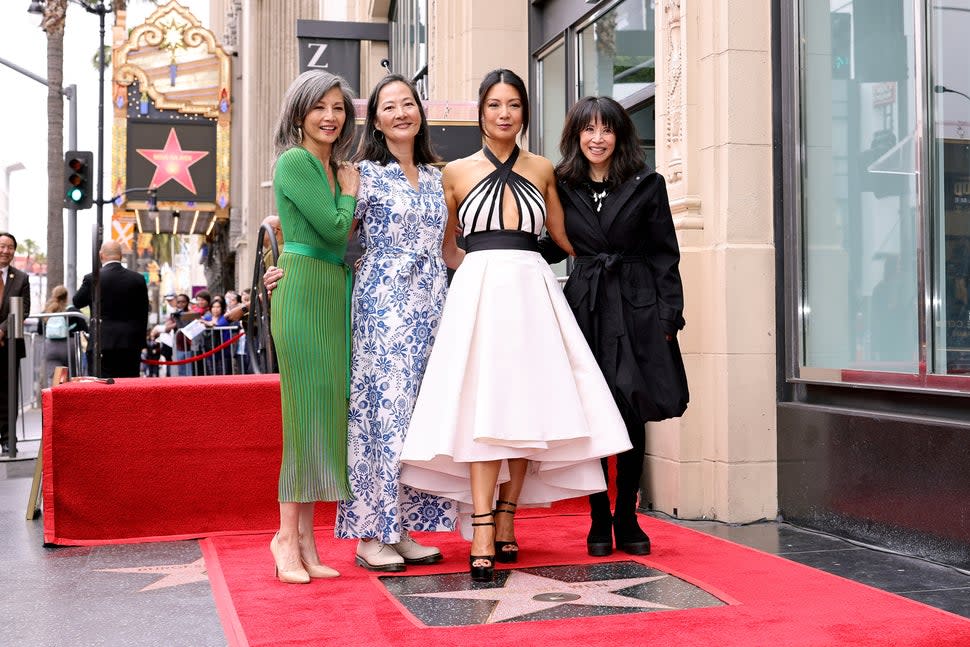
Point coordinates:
[[770, 601]]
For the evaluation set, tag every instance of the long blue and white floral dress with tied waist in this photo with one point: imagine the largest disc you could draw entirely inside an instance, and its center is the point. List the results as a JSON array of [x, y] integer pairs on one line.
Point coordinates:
[[398, 297]]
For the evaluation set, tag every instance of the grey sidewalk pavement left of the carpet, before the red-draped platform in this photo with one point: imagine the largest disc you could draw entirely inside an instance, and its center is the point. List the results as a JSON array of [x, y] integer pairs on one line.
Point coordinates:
[[155, 594]]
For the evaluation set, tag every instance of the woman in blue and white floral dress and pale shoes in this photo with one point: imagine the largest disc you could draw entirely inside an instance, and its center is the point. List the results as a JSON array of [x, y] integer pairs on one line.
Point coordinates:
[[399, 293]]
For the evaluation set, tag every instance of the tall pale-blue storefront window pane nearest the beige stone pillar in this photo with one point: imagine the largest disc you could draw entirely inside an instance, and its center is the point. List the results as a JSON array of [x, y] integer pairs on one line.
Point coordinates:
[[858, 309]]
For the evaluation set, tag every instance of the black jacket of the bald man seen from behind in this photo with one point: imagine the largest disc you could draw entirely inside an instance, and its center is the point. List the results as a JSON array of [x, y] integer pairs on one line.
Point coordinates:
[[124, 306]]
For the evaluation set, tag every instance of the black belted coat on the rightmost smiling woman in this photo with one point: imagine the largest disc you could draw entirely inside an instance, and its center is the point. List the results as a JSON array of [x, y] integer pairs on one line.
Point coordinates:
[[626, 292]]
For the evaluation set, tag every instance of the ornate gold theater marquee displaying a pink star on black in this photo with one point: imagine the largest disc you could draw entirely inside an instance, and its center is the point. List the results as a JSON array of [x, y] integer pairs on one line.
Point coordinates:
[[171, 132]]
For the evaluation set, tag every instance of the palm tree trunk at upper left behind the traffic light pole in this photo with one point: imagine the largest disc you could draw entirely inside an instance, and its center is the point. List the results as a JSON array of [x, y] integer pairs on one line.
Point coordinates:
[[53, 24]]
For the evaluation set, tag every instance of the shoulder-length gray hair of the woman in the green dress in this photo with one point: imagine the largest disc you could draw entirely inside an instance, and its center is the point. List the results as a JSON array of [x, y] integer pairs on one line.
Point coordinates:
[[302, 95]]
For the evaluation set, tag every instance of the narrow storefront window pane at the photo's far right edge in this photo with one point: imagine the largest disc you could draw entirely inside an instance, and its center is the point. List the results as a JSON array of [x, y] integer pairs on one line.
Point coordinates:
[[950, 184]]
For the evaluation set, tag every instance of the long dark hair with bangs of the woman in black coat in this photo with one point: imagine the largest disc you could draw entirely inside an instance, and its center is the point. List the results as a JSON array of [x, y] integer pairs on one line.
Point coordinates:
[[627, 158]]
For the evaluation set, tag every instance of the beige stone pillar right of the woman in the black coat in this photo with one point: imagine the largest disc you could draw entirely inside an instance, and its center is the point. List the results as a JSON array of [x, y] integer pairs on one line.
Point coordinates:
[[714, 148]]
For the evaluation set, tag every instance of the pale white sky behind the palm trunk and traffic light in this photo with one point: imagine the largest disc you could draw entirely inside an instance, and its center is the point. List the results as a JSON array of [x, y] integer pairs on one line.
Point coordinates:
[[23, 110]]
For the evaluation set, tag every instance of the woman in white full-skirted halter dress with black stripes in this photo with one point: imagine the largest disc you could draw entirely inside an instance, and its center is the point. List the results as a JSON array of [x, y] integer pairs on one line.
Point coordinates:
[[510, 375]]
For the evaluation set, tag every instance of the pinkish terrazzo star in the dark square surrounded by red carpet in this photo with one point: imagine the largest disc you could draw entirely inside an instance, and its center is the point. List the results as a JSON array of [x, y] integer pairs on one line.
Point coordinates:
[[524, 593]]
